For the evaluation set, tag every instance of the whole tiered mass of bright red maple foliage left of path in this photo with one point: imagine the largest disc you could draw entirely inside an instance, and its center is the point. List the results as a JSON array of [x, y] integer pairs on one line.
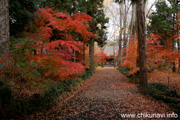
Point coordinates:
[[57, 44]]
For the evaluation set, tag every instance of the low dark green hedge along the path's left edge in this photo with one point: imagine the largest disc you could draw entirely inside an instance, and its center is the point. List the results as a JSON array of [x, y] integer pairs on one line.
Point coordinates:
[[13, 107]]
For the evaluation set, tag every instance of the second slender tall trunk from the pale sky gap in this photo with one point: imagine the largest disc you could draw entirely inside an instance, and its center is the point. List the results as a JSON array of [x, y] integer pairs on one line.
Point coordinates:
[[124, 40]]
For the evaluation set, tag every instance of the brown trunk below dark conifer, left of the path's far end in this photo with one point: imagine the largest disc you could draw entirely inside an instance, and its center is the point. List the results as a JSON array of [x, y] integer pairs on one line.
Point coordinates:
[[91, 54]]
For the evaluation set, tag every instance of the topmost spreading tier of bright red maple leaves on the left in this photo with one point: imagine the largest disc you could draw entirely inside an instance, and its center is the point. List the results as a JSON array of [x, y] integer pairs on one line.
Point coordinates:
[[63, 22]]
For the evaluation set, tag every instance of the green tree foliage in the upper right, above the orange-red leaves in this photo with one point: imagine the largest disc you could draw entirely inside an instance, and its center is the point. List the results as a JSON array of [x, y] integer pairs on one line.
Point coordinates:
[[161, 20]]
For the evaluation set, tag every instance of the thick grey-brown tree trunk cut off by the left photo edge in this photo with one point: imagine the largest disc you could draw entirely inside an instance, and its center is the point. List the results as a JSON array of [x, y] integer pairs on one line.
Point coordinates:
[[4, 27]]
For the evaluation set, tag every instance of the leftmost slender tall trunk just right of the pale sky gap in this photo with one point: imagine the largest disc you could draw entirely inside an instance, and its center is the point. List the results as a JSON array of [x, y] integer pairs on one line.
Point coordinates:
[[120, 38]]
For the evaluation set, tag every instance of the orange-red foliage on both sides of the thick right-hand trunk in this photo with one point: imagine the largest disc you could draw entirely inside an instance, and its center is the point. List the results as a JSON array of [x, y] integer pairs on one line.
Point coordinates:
[[157, 55]]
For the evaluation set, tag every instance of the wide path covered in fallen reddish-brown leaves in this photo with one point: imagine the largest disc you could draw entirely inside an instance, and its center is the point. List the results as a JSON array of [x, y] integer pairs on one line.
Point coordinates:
[[107, 95]]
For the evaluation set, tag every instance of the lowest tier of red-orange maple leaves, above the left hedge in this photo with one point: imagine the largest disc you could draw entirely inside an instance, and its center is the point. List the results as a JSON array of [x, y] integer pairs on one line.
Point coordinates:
[[57, 69]]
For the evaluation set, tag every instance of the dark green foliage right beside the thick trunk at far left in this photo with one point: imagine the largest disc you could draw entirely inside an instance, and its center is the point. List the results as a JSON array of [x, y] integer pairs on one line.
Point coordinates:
[[21, 14]]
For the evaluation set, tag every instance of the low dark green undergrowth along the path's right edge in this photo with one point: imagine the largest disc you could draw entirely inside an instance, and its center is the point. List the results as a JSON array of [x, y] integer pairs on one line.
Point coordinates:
[[157, 91]]
